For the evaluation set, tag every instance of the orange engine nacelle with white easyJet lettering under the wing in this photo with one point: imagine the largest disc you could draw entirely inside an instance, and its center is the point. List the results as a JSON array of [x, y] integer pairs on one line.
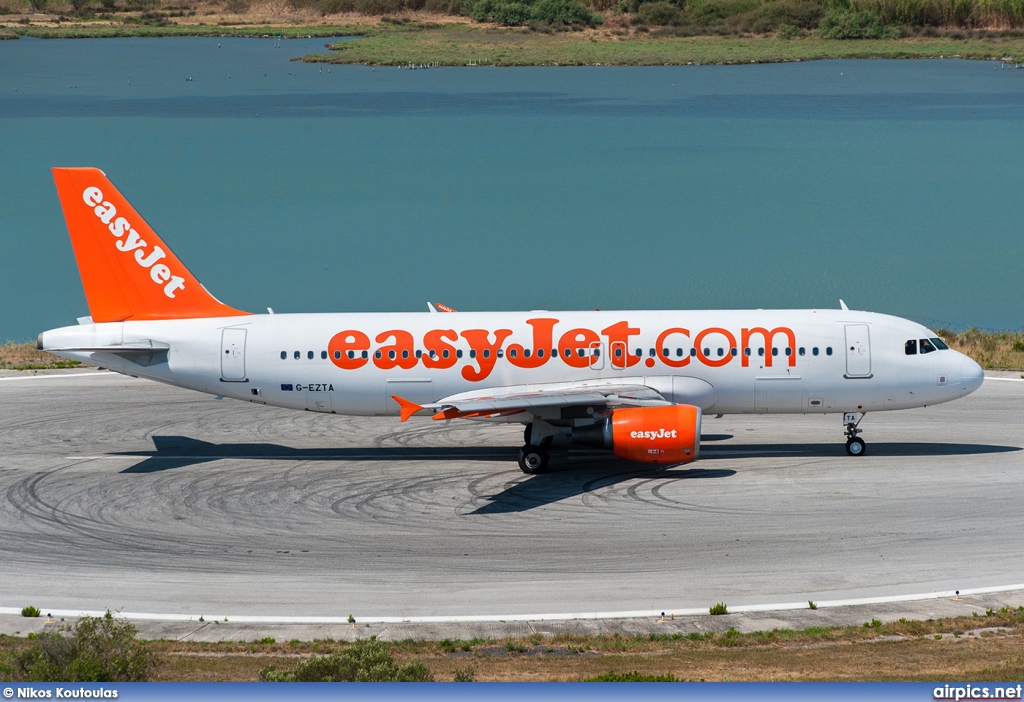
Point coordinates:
[[651, 435]]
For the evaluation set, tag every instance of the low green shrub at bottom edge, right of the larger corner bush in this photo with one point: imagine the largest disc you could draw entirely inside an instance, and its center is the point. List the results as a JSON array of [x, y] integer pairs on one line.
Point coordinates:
[[364, 662]]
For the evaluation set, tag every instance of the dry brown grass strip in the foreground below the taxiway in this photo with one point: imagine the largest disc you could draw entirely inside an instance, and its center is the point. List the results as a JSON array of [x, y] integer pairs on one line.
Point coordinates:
[[986, 647]]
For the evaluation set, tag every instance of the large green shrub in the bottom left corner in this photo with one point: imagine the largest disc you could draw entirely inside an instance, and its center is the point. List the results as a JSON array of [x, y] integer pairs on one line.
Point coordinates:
[[96, 650]]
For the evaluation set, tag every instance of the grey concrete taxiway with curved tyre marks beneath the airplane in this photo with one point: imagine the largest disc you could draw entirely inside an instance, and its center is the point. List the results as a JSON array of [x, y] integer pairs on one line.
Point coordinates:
[[126, 495]]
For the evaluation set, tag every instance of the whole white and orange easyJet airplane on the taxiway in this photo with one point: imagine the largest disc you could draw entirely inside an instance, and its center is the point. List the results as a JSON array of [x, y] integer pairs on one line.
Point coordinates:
[[633, 382]]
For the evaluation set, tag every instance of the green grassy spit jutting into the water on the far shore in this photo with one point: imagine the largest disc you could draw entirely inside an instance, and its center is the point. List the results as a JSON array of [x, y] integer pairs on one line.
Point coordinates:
[[462, 46]]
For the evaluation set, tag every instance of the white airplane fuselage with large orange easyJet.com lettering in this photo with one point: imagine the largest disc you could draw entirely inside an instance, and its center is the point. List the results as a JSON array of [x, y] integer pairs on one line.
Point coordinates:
[[816, 362]]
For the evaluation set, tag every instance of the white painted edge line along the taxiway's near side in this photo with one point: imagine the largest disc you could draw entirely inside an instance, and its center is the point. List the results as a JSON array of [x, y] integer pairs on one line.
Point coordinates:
[[636, 615]]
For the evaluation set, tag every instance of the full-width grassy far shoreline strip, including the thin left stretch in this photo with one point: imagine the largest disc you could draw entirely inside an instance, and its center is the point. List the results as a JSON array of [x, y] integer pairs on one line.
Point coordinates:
[[419, 41]]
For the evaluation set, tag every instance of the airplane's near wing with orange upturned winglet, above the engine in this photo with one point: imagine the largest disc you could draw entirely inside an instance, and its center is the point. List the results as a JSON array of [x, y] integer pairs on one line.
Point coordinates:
[[483, 405]]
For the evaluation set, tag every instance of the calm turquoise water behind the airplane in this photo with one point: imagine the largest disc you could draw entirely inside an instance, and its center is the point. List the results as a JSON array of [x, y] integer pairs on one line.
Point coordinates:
[[895, 186]]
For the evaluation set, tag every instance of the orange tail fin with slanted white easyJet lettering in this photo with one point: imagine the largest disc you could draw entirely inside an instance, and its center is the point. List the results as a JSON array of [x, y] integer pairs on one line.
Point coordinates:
[[127, 271]]
